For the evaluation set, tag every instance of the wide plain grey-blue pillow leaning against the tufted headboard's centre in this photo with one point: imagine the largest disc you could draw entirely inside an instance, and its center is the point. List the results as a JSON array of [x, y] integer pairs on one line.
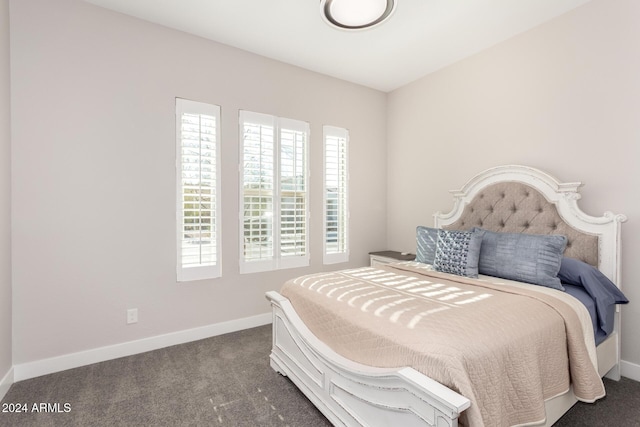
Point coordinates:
[[530, 258]]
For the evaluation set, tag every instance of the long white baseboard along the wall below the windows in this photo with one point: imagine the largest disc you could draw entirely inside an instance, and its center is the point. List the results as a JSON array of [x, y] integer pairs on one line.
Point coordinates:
[[29, 370]]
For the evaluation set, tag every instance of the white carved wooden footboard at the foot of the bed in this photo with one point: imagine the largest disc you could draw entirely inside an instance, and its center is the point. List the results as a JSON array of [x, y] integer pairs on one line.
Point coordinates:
[[351, 394]]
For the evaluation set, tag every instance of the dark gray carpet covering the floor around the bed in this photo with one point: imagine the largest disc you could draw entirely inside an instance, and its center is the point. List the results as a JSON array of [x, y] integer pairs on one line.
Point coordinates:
[[220, 381]]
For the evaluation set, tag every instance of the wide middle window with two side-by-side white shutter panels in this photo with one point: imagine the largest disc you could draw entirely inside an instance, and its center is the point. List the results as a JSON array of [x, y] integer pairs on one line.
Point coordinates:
[[273, 179]]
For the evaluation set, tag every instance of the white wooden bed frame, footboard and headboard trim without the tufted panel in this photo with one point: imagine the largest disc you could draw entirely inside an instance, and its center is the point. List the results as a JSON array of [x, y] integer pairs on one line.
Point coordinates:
[[352, 394]]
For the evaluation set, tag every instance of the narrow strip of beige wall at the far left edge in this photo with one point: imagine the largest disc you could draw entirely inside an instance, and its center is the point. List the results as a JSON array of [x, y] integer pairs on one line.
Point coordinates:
[[5, 195]]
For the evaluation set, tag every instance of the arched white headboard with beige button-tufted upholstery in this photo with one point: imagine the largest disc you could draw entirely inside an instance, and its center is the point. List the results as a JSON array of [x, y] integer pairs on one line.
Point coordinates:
[[520, 199]]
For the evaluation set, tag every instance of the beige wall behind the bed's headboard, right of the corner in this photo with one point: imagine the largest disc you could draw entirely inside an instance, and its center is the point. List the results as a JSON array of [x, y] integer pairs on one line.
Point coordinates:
[[564, 97]]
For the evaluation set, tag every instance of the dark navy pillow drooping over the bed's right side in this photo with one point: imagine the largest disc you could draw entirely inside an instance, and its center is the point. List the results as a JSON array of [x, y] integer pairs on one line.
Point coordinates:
[[604, 292]]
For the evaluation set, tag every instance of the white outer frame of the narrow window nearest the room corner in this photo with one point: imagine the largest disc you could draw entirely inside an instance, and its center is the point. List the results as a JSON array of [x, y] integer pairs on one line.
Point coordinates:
[[342, 255]]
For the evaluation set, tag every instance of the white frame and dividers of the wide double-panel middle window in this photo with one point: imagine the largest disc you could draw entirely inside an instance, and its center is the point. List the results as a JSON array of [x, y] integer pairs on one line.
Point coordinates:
[[276, 260]]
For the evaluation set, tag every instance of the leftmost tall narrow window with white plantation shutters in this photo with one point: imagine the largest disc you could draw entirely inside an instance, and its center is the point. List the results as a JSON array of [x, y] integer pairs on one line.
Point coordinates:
[[198, 190]]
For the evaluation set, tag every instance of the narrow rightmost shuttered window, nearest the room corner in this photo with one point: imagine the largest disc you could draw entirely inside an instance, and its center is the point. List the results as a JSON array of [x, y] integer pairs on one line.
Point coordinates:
[[336, 197]]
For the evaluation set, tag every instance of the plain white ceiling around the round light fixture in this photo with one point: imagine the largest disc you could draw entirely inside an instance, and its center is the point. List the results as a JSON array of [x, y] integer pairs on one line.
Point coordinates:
[[422, 35]]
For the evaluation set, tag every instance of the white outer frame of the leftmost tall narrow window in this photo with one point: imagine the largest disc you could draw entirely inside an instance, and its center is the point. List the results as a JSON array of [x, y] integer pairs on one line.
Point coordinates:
[[201, 270]]
